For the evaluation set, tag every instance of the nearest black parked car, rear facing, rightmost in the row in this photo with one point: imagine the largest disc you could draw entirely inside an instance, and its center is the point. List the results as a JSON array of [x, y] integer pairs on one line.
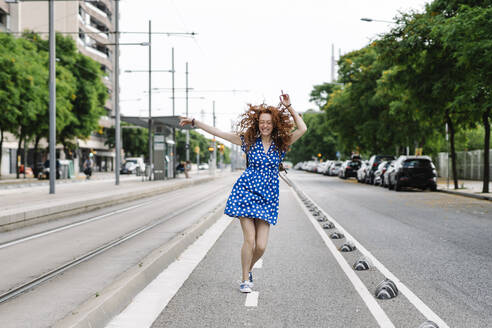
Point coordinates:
[[413, 171]]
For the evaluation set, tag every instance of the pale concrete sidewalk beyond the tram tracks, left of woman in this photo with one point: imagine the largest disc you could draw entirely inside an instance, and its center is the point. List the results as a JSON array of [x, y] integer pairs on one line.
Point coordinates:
[[27, 206]]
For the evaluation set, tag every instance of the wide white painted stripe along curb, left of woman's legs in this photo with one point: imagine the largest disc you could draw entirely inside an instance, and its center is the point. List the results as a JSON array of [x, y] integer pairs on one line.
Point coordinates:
[[152, 300]]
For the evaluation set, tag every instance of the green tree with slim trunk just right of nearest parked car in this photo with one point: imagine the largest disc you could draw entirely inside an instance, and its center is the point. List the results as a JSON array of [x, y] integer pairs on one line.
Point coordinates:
[[427, 70]]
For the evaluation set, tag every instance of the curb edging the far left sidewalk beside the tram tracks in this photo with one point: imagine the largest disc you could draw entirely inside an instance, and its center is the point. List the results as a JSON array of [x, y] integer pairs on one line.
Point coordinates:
[[31, 217]]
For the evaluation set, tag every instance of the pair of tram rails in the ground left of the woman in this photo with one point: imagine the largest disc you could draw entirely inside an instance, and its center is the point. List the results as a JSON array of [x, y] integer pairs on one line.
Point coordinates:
[[33, 283]]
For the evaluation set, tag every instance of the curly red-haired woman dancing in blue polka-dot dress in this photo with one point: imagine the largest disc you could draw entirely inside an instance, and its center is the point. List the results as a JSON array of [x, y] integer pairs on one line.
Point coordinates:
[[265, 134]]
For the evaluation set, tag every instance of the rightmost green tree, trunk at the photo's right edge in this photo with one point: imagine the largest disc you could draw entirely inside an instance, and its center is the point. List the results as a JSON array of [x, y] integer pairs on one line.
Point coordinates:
[[468, 36]]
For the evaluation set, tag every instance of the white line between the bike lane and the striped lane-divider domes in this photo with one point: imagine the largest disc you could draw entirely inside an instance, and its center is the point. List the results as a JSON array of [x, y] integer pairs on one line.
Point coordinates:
[[371, 303]]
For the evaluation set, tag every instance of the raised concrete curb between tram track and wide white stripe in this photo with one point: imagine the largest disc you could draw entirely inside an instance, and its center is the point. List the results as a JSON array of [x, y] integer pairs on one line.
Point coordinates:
[[99, 311]]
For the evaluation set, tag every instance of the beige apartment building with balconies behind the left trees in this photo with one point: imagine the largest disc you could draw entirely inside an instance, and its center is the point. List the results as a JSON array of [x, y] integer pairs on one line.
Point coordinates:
[[90, 24]]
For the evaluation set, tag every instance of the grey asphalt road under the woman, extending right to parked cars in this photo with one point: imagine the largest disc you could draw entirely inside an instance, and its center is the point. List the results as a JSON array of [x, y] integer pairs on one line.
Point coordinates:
[[437, 245]]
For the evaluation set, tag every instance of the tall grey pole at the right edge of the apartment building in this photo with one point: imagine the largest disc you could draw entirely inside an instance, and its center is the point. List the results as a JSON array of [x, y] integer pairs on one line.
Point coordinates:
[[117, 157]]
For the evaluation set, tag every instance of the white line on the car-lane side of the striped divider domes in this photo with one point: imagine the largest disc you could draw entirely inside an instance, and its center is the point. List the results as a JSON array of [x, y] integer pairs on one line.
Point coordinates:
[[412, 298]]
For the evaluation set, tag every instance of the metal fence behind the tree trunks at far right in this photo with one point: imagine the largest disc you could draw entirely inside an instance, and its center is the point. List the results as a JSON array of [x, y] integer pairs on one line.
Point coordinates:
[[469, 164]]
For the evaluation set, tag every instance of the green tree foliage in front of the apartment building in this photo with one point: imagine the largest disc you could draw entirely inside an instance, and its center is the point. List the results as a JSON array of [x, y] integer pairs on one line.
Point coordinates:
[[24, 90]]
